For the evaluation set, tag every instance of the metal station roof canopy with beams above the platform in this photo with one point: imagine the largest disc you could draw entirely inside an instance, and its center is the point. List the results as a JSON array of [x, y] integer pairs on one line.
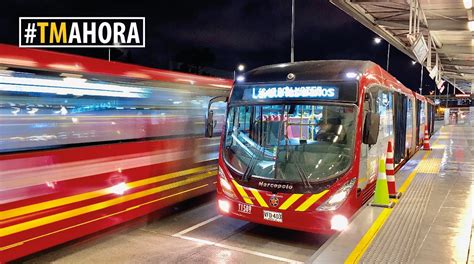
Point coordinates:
[[443, 24]]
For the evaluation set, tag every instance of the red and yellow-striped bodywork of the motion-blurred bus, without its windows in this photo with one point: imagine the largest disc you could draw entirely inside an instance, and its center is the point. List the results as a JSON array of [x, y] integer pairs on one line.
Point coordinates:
[[52, 196]]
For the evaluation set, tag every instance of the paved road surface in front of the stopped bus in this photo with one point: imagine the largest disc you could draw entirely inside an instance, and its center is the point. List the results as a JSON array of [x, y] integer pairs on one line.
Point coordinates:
[[190, 232]]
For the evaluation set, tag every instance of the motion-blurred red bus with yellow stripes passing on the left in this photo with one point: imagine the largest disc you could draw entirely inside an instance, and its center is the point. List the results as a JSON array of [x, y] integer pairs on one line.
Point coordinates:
[[86, 144]]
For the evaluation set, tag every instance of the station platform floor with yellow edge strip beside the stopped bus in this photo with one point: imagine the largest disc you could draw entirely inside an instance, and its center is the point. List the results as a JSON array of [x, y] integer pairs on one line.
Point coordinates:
[[430, 223]]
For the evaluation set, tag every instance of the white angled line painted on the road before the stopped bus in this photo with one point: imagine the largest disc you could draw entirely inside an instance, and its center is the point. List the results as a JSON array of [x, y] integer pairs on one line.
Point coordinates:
[[210, 243]]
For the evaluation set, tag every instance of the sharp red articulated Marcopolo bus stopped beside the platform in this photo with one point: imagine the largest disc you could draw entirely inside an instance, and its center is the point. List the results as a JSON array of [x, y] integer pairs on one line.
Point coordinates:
[[301, 142]]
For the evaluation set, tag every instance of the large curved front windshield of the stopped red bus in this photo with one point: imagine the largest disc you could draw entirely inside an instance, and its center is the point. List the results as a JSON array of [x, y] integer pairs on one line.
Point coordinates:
[[290, 142]]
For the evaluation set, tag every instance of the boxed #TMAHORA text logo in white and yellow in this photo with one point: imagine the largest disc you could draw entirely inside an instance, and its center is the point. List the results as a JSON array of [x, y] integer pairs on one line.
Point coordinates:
[[88, 32]]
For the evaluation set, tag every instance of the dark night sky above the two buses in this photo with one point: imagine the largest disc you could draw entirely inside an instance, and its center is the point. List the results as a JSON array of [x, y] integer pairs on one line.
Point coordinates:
[[252, 32]]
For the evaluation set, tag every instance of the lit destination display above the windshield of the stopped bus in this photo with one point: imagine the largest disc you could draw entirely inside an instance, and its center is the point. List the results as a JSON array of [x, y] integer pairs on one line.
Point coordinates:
[[291, 92]]
